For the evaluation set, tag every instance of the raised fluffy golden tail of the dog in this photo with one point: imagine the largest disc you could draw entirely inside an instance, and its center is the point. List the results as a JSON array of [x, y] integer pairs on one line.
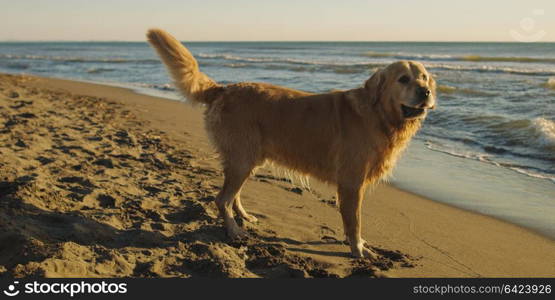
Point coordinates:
[[182, 66]]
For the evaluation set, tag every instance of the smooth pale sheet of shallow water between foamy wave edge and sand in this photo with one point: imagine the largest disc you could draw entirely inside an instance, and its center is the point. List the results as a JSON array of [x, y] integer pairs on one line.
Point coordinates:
[[477, 187]]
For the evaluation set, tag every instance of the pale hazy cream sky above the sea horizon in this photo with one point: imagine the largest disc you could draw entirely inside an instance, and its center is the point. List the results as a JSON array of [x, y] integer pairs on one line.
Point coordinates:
[[284, 20]]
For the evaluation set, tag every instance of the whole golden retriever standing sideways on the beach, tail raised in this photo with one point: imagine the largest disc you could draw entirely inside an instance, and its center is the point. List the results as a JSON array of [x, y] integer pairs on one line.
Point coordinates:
[[350, 139]]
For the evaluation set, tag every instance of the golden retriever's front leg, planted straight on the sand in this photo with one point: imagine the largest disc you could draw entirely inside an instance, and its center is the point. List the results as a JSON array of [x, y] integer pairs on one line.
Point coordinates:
[[350, 200]]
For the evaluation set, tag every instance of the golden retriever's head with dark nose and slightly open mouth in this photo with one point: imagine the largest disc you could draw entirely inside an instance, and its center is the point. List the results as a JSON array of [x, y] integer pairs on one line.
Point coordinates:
[[404, 89]]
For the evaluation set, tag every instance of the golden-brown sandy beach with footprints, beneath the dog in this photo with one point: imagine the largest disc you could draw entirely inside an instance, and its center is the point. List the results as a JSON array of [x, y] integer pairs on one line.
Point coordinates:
[[98, 181]]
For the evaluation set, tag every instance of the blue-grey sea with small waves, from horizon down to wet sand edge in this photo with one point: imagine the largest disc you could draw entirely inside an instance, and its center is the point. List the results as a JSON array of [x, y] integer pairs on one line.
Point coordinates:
[[489, 146]]
